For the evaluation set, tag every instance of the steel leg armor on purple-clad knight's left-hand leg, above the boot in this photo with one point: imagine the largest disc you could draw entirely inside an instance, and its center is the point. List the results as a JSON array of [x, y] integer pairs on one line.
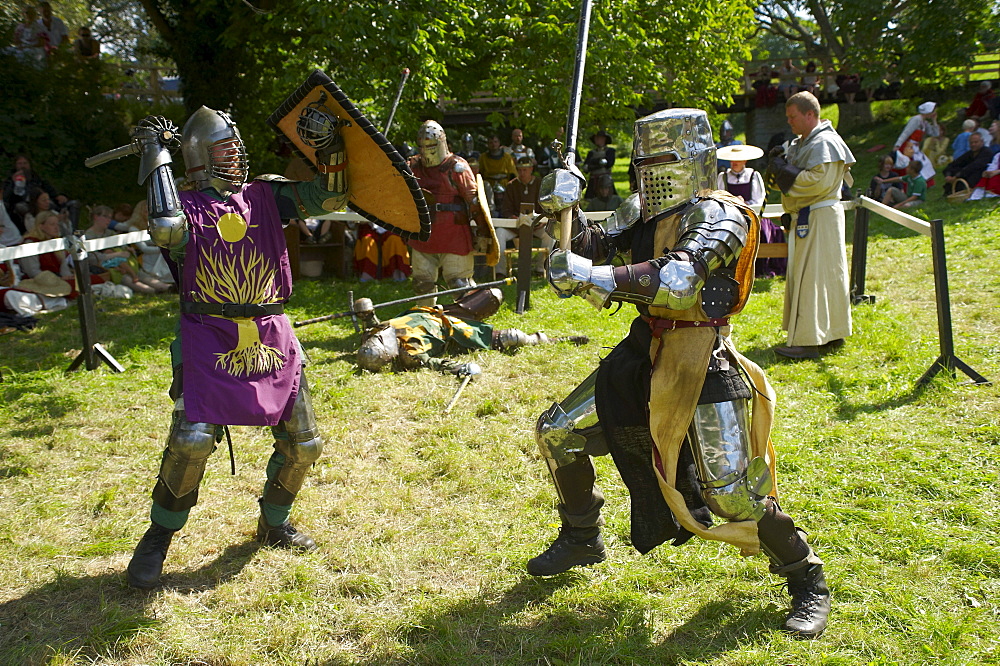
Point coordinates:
[[188, 447]]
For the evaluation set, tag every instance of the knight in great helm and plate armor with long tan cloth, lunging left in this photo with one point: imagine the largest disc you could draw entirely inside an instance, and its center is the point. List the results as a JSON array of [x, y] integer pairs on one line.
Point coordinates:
[[685, 416]]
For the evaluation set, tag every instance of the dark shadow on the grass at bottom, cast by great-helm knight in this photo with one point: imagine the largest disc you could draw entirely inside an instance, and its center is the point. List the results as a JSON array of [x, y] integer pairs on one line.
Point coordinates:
[[619, 631]]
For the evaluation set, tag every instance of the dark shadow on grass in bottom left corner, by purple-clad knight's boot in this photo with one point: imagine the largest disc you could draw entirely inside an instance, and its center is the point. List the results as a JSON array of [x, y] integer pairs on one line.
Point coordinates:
[[96, 616]]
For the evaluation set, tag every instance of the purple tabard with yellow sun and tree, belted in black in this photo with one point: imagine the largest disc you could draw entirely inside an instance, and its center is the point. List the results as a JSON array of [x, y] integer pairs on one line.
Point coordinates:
[[237, 371]]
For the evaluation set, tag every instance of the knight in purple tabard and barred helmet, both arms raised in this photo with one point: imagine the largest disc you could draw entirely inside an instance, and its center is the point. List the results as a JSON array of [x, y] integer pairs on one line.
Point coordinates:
[[237, 361]]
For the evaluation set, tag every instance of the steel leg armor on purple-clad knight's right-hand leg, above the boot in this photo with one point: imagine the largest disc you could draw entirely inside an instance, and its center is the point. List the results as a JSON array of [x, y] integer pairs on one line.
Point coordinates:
[[302, 448]]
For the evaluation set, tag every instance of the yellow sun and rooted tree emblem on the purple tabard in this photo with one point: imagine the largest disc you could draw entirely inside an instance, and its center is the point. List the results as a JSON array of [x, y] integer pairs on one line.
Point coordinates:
[[246, 277]]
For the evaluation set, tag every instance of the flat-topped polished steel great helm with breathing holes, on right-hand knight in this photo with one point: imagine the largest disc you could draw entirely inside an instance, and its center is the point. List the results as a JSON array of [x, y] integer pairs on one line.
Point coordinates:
[[674, 158]]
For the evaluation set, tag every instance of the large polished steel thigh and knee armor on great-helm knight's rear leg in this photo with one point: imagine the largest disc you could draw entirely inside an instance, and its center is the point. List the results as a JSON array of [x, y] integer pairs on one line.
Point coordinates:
[[732, 485]]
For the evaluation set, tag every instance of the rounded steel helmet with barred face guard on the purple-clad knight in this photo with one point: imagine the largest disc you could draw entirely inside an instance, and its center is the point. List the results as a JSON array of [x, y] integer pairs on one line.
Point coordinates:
[[214, 153]]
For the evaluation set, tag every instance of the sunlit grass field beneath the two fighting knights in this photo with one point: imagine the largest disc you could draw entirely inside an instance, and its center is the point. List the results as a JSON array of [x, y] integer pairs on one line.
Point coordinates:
[[425, 520]]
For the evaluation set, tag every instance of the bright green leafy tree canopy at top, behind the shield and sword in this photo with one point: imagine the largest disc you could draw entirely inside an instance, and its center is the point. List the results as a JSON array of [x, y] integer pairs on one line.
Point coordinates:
[[248, 56]]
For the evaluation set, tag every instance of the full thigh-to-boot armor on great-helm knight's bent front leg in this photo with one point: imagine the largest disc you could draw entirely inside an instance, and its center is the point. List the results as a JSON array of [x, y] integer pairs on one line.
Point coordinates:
[[568, 433]]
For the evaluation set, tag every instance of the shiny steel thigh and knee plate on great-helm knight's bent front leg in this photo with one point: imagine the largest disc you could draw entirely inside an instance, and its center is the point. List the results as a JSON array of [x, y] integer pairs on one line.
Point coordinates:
[[570, 429]]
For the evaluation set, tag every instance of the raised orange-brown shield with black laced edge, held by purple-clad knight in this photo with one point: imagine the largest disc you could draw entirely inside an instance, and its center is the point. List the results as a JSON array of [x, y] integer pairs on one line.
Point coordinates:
[[382, 188]]
